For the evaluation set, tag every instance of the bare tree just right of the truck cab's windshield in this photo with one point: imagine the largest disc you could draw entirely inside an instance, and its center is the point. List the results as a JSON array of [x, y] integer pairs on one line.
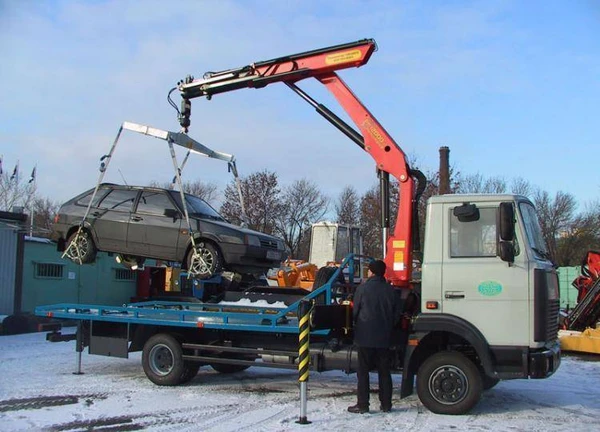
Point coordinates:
[[555, 215]]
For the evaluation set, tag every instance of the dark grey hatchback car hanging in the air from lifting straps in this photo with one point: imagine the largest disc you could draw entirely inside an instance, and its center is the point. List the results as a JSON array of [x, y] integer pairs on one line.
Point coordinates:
[[146, 222]]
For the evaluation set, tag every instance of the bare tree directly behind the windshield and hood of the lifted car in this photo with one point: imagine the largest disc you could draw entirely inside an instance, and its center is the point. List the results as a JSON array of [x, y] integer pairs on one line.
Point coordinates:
[[261, 198]]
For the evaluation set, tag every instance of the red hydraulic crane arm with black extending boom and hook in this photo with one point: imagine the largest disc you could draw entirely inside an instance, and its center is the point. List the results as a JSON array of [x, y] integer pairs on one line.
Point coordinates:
[[322, 65]]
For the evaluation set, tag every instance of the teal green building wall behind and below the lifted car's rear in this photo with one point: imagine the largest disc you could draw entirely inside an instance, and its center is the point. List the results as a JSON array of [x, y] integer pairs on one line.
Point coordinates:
[[50, 279]]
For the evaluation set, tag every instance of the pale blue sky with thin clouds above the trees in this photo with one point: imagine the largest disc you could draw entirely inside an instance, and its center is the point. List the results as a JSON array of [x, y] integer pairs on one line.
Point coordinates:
[[511, 87]]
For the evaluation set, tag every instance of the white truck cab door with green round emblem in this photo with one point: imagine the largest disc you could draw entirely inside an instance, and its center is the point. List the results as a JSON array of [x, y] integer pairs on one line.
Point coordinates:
[[477, 285]]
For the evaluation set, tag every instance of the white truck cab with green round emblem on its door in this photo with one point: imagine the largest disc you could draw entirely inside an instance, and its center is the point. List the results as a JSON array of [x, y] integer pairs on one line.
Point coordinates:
[[489, 293]]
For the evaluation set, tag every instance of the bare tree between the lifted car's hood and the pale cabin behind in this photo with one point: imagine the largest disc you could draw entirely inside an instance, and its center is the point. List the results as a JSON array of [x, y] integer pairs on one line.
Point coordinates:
[[302, 204]]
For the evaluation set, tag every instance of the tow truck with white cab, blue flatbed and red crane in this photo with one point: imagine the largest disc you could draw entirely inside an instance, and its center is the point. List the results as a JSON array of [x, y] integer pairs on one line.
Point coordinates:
[[484, 309]]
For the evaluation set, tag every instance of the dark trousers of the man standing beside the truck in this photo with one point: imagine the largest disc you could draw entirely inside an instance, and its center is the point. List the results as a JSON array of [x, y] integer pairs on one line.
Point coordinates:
[[371, 358]]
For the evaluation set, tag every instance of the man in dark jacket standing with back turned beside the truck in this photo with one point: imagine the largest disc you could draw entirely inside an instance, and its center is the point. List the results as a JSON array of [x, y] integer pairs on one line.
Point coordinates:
[[376, 311]]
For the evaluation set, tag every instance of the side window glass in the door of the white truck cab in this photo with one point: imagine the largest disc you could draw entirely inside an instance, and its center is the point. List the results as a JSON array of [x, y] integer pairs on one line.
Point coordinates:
[[474, 238]]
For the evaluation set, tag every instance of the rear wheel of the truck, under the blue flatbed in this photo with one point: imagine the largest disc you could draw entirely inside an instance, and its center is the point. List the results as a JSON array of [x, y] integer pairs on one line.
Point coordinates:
[[162, 360]]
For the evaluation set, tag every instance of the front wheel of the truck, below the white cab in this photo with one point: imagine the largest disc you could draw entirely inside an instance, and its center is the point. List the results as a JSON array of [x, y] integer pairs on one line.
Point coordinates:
[[449, 383]]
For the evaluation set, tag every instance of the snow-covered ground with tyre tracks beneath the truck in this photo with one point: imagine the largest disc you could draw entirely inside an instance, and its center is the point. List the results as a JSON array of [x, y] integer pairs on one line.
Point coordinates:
[[38, 391]]
